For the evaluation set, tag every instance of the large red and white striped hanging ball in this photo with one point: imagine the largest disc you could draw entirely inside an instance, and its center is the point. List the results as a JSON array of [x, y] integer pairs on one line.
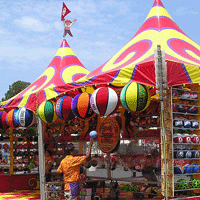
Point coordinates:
[[104, 101]]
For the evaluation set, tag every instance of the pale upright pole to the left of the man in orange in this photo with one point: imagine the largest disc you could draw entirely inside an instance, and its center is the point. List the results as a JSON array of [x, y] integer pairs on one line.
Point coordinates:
[[41, 158]]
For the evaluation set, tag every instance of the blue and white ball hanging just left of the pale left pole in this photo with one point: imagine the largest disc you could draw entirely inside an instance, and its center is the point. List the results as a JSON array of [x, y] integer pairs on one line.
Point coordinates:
[[25, 117]]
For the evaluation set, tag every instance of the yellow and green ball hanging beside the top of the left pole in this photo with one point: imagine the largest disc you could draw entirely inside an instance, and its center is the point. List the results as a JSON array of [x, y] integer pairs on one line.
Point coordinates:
[[47, 112]]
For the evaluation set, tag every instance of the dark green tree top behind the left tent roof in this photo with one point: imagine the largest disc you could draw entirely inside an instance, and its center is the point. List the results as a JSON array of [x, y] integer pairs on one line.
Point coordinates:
[[15, 88]]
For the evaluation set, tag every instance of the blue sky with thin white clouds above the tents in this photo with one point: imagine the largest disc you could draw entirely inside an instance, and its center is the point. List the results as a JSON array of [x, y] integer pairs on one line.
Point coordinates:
[[31, 31]]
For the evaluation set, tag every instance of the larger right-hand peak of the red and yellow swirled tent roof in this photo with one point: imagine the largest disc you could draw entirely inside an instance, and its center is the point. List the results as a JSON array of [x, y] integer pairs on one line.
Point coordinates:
[[135, 61]]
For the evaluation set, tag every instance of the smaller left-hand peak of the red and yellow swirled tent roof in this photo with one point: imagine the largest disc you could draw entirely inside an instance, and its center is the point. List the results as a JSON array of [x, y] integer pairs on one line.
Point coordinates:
[[64, 68]]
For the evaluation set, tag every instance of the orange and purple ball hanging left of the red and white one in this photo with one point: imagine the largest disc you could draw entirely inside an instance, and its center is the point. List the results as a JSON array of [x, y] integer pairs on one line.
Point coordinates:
[[81, 106]]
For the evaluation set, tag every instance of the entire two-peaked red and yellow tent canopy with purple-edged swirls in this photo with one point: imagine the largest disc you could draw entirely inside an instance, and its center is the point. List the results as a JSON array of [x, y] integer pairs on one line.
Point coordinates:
[[133, 63]]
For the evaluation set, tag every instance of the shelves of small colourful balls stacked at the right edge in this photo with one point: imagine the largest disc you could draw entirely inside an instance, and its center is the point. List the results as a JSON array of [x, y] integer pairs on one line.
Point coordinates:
[[185, 139]]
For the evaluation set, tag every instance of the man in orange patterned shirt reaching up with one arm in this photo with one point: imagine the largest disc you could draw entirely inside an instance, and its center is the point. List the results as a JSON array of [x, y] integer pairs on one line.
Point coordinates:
[[70, 167]]
